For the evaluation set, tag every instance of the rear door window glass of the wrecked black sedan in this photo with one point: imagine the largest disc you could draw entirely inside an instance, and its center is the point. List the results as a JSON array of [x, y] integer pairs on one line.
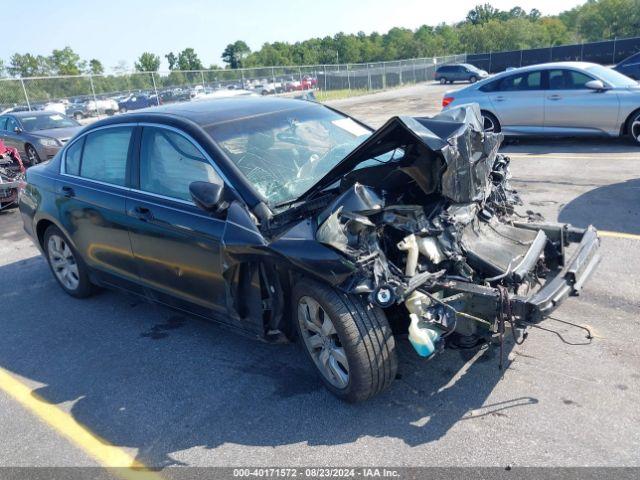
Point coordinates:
[[105, 155]]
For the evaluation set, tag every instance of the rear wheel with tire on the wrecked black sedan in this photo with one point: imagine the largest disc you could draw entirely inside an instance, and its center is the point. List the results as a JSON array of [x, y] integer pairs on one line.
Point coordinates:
[[68, 269]]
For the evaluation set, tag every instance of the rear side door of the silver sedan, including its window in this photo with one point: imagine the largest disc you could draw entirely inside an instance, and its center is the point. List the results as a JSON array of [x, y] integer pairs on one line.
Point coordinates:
[[518, 101]]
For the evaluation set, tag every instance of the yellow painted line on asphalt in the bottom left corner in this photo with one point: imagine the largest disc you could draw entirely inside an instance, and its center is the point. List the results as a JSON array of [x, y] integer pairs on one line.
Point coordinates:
[[118, 461]]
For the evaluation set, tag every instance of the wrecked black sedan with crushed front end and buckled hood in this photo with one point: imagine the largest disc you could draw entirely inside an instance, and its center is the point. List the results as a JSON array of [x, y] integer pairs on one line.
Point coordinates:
[[287, 219]]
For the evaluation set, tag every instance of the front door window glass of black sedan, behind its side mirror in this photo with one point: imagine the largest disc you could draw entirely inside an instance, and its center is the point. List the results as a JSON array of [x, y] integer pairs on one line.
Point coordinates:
[[169, 163]]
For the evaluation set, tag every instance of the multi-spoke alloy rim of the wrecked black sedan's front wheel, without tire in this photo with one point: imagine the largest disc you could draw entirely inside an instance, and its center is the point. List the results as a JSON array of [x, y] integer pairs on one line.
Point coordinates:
[[322, 342]]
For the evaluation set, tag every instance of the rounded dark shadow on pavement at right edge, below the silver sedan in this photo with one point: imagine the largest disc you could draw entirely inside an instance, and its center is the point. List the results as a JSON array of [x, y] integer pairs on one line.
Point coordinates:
[[613, 207]]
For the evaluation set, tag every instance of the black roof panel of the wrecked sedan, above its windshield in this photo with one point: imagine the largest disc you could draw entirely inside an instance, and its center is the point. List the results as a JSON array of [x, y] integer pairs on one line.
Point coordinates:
[[209, 112]]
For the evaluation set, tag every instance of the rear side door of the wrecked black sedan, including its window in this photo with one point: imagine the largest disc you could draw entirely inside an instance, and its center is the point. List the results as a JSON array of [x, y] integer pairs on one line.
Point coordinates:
[[91, 204]]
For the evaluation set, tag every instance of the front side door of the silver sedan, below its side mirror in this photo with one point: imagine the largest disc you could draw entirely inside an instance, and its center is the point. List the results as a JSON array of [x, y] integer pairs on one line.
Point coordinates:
[[571, 107]]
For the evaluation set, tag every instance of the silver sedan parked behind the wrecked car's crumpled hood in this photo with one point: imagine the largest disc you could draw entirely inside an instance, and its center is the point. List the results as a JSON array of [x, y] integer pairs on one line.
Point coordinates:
[[564, 98]]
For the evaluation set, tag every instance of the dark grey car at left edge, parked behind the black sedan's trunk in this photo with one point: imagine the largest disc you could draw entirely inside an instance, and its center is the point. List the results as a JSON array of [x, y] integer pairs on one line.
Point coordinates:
[[37, 135]]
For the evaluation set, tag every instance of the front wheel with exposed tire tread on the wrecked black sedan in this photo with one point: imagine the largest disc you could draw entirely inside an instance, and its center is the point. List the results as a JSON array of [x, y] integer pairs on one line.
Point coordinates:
[[348, 340]]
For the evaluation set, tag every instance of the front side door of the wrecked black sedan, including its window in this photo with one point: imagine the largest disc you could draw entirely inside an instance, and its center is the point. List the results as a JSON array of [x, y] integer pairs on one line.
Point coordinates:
[[175, 244]]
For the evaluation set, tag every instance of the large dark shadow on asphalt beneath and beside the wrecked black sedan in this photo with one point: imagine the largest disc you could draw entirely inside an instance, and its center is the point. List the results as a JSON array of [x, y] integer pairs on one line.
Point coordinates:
[[145, 377]]
